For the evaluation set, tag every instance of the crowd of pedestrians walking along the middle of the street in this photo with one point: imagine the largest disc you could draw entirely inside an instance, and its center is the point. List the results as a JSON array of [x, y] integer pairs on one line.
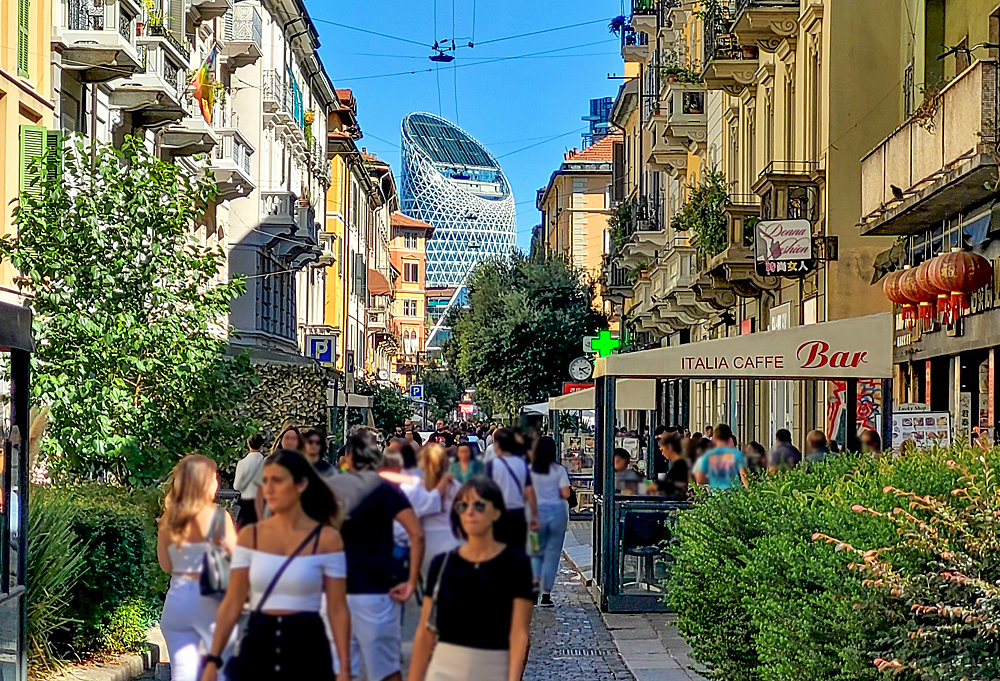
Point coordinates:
[[311, 579]]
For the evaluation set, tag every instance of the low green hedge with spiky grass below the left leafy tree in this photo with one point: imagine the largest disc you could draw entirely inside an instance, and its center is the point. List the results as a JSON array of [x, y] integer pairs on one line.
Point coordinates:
[[114, 593]]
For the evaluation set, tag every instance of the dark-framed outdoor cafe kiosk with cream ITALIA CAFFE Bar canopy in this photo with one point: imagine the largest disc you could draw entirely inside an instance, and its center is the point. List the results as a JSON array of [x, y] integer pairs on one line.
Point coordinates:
[[632, 534]]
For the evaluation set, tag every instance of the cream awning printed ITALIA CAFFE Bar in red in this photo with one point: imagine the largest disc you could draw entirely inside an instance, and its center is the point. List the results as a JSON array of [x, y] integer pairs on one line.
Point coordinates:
[[855, 348]]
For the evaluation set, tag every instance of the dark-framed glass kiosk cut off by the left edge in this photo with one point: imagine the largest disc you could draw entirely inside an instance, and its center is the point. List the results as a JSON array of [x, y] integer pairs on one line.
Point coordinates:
[[16, 345]]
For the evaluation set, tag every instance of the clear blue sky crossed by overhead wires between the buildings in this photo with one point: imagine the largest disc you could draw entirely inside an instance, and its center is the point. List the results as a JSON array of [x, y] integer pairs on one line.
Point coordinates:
[[526, 110]]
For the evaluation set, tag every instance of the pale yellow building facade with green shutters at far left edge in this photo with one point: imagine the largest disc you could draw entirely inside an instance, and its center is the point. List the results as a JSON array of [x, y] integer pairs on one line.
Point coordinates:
[[25, 106]]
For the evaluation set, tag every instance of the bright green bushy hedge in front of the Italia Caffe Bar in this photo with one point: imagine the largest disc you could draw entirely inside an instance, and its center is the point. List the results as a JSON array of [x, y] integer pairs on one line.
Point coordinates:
[[759, 599]]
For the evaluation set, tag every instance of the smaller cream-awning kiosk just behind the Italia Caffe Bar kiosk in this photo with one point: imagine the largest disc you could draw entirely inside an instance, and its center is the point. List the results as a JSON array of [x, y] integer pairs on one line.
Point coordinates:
[[568, 422]]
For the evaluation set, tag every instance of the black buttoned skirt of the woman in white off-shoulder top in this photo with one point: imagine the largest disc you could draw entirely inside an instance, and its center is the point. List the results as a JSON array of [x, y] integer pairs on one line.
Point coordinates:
[[284, 648]]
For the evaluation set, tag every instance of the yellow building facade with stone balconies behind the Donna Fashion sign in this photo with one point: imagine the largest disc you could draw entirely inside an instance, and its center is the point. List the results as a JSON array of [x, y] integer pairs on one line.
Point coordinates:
[[756, 110]]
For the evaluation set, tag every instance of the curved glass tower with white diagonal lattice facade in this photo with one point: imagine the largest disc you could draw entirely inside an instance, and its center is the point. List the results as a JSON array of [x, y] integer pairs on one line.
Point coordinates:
[[452, 182]]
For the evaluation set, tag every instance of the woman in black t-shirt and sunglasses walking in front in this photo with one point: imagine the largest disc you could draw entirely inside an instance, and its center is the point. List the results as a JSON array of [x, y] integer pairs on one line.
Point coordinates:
[[479, 599]]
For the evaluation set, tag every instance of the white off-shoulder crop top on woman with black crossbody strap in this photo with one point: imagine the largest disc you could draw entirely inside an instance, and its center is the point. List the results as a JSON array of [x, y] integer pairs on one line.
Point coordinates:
[[300, 588]]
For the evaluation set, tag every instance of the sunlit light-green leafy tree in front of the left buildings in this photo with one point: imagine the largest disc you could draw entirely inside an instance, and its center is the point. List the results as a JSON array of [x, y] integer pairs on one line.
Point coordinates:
[[130, 314]]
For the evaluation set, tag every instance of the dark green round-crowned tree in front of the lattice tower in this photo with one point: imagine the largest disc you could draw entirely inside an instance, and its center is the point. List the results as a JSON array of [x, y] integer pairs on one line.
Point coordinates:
[[524, 324]]
